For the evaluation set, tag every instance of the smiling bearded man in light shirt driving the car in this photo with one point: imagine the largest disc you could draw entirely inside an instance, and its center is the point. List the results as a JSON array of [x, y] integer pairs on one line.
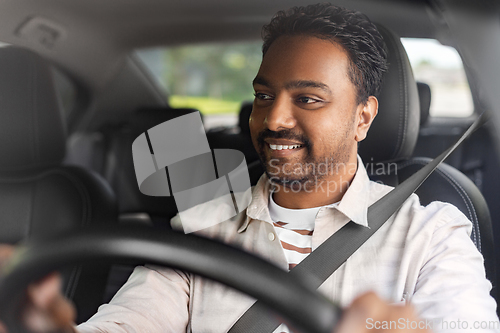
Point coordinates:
[[315, 99]]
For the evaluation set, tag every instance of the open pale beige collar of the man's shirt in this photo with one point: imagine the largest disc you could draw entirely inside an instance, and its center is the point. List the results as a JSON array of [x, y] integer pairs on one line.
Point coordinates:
[[354, 203]]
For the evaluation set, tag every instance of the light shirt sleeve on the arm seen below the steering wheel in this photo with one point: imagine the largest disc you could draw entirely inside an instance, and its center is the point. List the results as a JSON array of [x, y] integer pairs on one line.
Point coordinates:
[[153, 300]]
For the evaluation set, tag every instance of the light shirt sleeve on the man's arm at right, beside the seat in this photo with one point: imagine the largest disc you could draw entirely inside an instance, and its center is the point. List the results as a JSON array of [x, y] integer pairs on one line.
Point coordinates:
[[452, 292]]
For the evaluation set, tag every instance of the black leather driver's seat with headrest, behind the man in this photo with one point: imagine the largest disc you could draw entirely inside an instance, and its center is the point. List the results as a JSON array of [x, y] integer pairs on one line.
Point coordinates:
[[392, 139]]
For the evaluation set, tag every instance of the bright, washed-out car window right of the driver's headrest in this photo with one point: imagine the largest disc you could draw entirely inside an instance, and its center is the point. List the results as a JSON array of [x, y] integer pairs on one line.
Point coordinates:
[[442, 69]]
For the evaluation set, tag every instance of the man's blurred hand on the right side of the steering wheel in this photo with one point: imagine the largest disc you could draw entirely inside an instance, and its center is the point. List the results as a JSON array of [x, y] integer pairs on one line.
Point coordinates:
[[369, 314]]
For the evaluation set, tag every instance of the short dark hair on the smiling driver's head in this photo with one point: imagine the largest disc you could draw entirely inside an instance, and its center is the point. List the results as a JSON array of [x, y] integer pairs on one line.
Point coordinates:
[[351, 29]]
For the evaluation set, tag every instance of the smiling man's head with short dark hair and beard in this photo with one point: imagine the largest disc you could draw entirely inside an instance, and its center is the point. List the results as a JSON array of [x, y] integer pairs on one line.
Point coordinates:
[[322, 67]]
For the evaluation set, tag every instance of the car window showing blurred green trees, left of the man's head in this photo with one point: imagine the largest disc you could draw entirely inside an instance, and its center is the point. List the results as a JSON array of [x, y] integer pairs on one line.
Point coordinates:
[[213, 78]]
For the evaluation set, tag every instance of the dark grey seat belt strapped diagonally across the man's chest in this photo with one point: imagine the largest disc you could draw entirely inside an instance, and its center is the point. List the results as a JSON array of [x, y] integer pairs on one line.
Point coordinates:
[[332, 253]]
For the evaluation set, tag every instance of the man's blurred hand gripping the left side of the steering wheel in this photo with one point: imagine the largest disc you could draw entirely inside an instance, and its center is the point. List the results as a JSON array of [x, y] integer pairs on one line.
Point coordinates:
[[45, 309]]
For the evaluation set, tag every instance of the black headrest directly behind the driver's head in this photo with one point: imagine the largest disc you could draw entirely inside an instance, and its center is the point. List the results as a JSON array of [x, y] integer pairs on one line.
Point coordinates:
[[394, 131]]
